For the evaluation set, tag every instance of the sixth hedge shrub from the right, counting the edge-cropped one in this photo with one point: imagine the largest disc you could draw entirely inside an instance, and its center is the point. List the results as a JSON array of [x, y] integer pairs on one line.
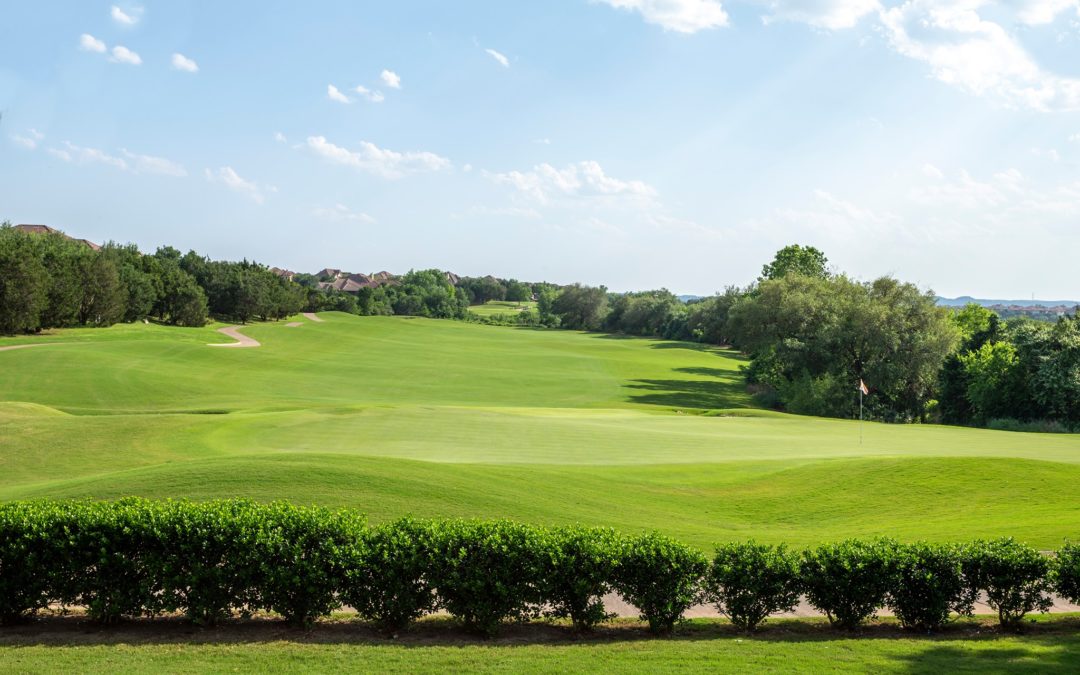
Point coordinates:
[[661, 577]]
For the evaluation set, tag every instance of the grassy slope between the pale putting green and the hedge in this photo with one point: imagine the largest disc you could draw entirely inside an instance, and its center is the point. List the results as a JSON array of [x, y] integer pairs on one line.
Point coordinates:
[[943, 499]]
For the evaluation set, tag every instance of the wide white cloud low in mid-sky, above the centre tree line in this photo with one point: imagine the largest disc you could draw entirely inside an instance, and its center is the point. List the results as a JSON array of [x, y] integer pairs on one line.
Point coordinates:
[[582, 180]]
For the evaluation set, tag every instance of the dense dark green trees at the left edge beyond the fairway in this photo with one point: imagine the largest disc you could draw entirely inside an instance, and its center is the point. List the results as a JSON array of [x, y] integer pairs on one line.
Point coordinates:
[[50, 281]]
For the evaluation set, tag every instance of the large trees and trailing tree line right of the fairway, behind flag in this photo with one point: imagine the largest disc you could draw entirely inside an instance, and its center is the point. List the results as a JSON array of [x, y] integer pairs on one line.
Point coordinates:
[[814, 335]]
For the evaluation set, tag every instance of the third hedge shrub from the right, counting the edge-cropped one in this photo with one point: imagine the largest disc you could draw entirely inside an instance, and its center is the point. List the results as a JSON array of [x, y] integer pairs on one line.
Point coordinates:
[[928, 585]]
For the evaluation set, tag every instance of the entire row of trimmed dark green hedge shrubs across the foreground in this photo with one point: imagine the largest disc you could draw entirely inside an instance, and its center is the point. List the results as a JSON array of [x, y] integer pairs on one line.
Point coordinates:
[[214, 560]]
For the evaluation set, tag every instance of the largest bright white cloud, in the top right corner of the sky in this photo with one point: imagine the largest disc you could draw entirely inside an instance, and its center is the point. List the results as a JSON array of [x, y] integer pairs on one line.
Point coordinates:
[[968, 51]]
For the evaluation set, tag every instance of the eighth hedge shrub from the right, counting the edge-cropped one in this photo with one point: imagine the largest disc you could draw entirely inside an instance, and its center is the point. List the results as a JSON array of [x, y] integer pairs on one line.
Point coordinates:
[[488, 573]]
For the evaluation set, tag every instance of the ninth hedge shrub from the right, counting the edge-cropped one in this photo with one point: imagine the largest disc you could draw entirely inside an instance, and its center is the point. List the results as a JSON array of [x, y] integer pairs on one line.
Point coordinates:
[[387, 583]]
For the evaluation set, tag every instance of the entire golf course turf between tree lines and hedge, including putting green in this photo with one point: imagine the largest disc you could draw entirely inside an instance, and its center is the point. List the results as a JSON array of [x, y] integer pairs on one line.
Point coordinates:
[[396, 416]]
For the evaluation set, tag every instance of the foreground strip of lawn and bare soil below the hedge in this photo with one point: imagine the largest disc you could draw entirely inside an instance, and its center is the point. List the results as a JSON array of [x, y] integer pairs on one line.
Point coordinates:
[[1050, 646]]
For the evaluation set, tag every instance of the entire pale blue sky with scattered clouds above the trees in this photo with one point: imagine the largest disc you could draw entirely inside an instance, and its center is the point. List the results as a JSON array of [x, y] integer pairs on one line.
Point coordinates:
[[632, 143]]
